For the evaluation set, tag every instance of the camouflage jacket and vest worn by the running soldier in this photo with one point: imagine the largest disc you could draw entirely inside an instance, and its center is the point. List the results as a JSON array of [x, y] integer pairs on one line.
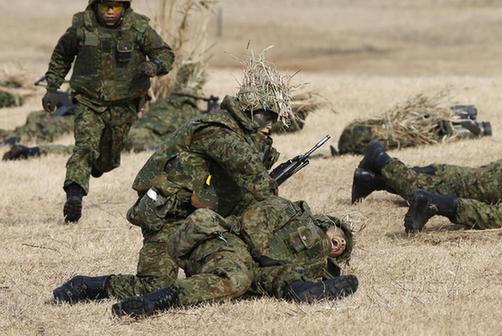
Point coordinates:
[[107, 60]]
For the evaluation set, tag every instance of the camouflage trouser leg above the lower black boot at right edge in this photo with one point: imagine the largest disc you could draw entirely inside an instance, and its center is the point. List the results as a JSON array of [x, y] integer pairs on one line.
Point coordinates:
[[479, 215]]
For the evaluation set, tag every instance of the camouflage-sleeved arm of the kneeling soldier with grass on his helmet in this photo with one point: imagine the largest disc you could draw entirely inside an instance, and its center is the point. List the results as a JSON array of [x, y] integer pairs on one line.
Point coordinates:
[[239, 160]]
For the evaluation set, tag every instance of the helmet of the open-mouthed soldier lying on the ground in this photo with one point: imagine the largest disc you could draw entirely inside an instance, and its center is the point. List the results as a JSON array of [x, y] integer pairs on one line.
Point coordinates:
[[342, 233]]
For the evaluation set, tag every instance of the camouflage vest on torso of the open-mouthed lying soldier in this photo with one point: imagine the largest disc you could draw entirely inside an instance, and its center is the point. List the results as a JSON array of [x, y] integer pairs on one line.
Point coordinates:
[[284, 230]]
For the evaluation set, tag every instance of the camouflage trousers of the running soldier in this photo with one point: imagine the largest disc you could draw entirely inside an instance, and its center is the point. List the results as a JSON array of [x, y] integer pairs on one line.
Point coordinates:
[[99, 140]]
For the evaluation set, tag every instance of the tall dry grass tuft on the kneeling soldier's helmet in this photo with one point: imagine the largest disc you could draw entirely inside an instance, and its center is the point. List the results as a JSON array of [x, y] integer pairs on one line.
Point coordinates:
[[264, 88]]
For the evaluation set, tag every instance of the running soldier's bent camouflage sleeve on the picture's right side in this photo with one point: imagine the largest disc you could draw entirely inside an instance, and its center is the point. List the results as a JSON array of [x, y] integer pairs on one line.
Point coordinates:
[[158, 51]]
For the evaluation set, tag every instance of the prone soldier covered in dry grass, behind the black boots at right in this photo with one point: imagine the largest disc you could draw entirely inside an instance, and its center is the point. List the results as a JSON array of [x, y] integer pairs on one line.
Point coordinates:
[[421, 120]]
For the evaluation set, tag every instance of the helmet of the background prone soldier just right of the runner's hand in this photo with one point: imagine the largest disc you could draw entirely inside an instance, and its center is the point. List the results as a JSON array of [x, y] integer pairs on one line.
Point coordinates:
[[190, 79]]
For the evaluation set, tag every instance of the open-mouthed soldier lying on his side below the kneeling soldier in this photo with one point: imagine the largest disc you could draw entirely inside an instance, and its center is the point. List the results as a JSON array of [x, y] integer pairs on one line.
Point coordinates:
[[276, 248]]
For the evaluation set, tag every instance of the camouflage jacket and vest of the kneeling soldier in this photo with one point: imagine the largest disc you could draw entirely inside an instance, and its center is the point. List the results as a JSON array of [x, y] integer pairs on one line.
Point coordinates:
[[217, 156]]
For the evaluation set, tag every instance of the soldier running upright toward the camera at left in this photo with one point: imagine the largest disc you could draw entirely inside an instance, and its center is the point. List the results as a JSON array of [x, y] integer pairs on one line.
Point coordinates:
[[115, 52]]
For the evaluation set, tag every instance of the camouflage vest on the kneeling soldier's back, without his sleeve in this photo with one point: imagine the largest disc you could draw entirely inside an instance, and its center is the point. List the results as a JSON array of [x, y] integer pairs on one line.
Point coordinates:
[[176, 169]]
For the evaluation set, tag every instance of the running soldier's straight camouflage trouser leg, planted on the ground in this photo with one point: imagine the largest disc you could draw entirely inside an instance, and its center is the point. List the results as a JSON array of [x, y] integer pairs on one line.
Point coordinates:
[[88, 130]]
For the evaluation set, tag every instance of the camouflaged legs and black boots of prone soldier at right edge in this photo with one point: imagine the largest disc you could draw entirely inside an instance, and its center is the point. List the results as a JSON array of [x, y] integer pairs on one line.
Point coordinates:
[[466, 196]]
